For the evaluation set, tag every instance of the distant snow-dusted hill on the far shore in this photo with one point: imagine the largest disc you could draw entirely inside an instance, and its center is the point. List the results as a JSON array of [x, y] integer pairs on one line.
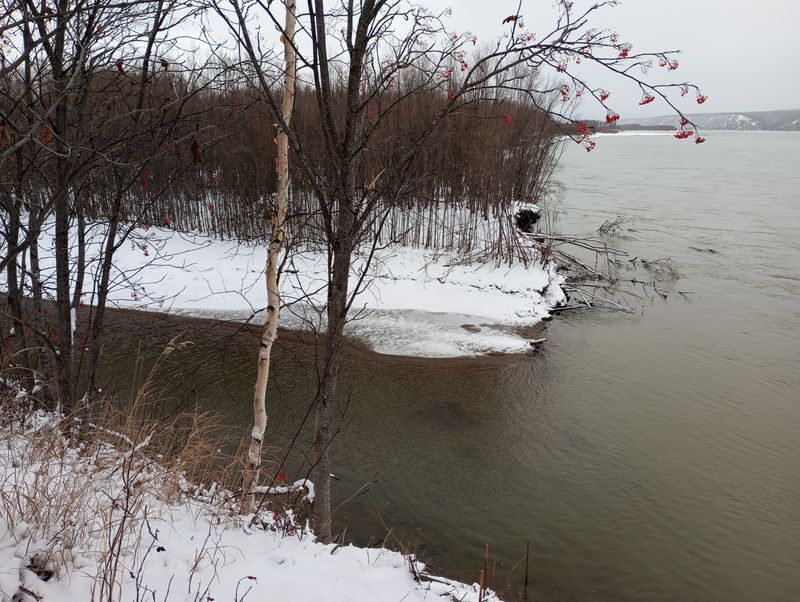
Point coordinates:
[[779, 121]]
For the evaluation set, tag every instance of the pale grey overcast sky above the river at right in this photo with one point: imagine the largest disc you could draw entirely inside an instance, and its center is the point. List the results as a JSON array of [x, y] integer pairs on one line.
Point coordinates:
[[744, 54]]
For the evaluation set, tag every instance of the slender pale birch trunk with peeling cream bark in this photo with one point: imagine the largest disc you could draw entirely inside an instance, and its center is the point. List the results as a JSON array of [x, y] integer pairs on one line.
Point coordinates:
[[252, 462]]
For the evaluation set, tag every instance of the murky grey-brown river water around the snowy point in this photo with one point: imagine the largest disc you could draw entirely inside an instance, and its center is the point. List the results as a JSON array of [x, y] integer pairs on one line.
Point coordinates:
[[645, 456]]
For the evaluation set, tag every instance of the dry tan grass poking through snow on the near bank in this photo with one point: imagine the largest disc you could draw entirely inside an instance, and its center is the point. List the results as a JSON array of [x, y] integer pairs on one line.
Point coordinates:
[[93, 485]]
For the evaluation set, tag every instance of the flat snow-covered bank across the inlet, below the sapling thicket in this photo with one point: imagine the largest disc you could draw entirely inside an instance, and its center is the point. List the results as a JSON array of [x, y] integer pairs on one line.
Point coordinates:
[[415, 302]]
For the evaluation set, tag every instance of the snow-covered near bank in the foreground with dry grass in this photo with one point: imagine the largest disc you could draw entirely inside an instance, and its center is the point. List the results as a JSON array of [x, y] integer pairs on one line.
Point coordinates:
[[101, 523]]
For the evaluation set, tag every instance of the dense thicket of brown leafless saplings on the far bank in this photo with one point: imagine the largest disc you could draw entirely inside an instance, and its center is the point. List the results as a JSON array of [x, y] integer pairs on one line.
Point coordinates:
[[202, 155]]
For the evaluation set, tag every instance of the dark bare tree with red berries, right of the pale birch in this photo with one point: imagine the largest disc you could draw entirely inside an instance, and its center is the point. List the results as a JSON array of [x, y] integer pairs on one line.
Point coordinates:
[[366, 61]]
